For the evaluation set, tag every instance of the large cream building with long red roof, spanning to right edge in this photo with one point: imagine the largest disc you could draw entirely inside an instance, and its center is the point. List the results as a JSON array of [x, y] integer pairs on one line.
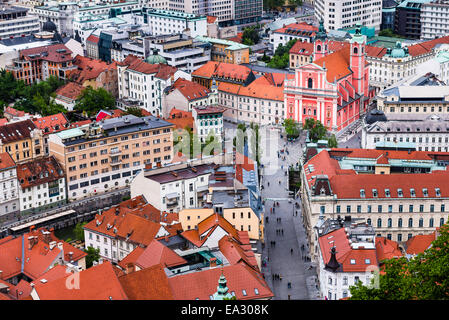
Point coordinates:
[[400, 193]]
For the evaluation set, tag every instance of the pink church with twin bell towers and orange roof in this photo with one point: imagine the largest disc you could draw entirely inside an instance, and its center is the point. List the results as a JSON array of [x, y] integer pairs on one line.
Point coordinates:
[[334, 88]]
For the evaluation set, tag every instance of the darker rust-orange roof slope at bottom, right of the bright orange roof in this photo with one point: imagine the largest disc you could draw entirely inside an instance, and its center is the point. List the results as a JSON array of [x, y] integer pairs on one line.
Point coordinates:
[[147, 284]]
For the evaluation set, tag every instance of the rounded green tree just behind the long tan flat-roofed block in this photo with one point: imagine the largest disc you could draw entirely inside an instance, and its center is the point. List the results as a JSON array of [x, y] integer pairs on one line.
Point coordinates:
[[93, 100]]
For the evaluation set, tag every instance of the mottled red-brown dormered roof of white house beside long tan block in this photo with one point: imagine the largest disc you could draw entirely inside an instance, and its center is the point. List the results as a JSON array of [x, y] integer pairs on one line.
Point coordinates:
[[39, 171]]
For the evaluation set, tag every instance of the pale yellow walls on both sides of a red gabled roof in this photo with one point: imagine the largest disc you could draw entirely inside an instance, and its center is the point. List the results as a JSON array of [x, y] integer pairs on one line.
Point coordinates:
[[242, 219]]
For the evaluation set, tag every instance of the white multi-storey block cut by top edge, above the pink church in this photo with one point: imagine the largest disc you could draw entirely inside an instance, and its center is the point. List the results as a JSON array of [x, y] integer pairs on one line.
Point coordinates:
[[346, 14]]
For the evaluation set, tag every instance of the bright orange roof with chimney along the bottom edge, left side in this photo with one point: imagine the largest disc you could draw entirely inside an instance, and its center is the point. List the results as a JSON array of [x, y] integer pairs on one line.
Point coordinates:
[[96, 283]]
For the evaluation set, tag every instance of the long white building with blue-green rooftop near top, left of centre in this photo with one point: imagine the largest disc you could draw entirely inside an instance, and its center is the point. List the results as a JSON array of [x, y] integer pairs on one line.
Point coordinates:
[[163, 22]]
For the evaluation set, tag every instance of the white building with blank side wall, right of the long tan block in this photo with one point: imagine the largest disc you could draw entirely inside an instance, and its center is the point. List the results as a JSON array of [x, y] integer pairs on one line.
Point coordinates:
[[173, 188]]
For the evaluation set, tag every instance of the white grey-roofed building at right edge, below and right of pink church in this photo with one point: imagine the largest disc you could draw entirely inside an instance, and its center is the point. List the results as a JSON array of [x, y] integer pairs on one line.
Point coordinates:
[[416, 132]]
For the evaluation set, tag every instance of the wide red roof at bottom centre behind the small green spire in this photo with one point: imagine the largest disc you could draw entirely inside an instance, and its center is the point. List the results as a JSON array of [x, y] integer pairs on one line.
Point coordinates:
[[203, 284]]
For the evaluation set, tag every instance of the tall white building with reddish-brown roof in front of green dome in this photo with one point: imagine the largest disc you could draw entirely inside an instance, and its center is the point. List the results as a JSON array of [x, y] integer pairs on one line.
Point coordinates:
[[144, 82]]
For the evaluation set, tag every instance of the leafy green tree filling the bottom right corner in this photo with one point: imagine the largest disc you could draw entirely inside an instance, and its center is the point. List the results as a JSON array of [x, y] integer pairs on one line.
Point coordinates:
[[423, 277]]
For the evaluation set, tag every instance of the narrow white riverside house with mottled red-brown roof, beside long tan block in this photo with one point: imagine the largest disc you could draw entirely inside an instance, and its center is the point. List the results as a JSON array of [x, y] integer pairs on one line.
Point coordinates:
[[42, 184]]
